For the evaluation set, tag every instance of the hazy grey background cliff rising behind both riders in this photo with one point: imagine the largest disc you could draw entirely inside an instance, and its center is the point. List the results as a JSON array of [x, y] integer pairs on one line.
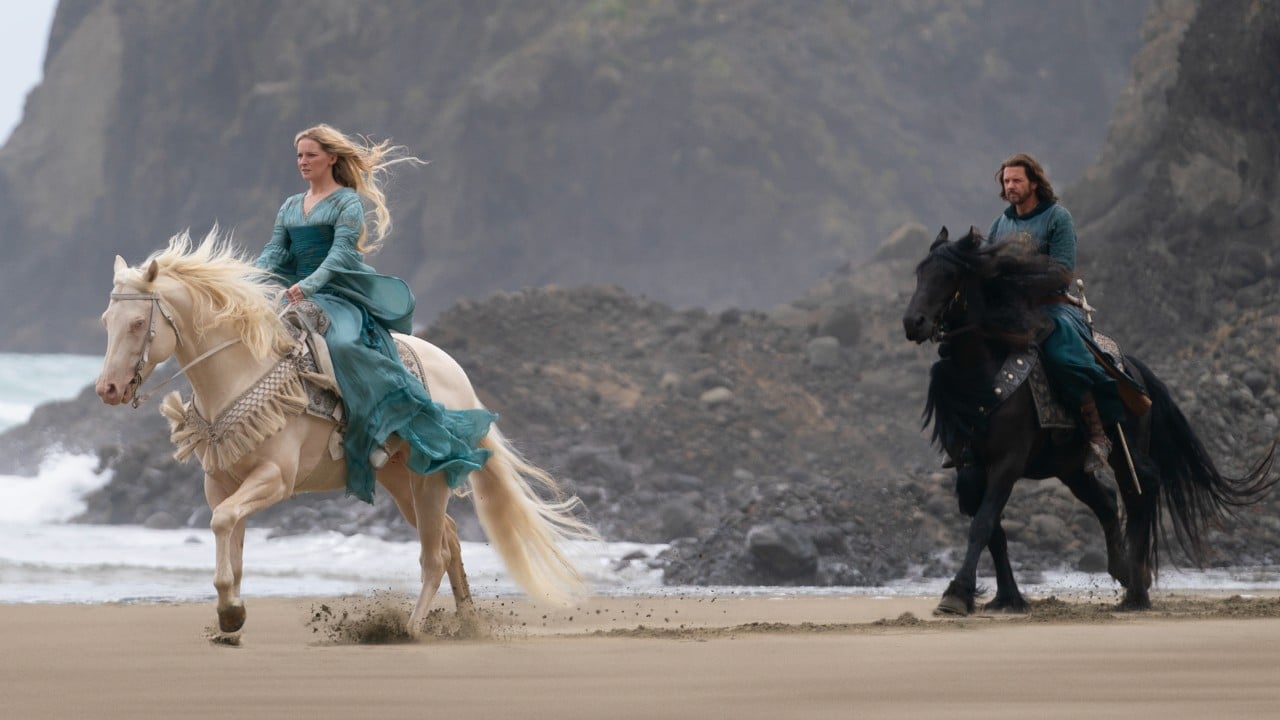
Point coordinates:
[[710, 153]]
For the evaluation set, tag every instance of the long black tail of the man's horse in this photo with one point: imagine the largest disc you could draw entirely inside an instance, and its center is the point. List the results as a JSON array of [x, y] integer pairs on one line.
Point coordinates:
[[1196, 495]]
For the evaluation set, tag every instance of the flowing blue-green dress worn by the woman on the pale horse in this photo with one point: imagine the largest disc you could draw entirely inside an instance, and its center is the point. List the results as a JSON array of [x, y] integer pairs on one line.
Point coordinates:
[[318, 252]]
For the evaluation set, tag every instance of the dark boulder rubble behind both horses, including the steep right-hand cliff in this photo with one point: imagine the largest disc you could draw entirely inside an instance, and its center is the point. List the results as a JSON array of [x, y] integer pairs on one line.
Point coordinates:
[[785, 448]]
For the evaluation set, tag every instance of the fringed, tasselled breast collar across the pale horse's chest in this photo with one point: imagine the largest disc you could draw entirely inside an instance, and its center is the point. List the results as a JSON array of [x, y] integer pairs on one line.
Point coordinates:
[[258, 414]]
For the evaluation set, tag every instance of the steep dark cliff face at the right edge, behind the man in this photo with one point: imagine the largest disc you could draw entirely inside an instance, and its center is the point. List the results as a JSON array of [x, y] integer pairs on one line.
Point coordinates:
[[1181, 213]]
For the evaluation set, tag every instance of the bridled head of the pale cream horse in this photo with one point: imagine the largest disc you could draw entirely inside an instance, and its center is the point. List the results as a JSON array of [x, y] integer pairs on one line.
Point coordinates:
[[141, 330]]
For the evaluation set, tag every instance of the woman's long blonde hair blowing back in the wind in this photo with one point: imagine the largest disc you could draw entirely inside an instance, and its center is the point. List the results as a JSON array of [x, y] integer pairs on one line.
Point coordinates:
[[362, 166]]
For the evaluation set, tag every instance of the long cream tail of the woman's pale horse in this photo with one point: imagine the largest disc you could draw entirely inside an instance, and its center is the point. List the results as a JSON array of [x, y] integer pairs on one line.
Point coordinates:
[[527, 530]]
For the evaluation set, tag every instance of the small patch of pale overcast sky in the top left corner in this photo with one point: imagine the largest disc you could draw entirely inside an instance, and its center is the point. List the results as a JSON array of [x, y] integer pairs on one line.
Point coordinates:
[[22, 54]]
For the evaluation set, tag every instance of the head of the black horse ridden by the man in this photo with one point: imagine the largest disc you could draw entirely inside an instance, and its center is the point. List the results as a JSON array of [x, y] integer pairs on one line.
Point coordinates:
[[939, 281]]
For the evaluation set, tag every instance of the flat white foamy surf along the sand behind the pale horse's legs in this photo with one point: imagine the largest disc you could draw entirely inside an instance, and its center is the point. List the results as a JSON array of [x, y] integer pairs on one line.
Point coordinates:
[[51, 563]]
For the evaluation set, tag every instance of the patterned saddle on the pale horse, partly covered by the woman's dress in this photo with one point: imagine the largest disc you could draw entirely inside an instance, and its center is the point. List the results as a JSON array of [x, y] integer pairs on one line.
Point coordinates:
[[308, 323]]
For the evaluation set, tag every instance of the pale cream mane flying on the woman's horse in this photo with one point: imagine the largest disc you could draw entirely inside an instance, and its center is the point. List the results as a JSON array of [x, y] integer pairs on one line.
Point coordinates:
[[226, 289]]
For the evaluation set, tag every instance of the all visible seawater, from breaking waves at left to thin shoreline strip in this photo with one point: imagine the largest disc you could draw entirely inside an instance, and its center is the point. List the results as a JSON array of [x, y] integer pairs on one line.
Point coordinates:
[[47, 559]]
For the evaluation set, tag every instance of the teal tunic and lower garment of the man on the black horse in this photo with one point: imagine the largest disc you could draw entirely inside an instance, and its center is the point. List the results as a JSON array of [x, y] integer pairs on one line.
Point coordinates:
[[1072, 367]]
